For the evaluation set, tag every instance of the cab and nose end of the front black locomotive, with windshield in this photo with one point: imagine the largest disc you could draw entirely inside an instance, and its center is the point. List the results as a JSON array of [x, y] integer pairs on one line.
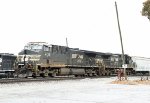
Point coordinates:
[[29, 59]]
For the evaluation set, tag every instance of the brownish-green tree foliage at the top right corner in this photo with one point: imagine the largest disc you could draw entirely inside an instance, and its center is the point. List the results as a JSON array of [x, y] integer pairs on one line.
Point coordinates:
[[146, 9]]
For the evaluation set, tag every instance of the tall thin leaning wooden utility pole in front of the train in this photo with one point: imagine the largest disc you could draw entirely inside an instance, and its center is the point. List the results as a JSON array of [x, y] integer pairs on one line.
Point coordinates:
[[123, 59]]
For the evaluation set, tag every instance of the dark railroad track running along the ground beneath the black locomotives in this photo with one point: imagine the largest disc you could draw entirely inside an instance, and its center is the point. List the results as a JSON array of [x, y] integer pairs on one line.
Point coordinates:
[[17, 80]]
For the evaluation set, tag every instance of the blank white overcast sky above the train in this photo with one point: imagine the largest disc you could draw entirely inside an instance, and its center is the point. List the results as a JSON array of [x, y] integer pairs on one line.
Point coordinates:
[[88, 24]]
